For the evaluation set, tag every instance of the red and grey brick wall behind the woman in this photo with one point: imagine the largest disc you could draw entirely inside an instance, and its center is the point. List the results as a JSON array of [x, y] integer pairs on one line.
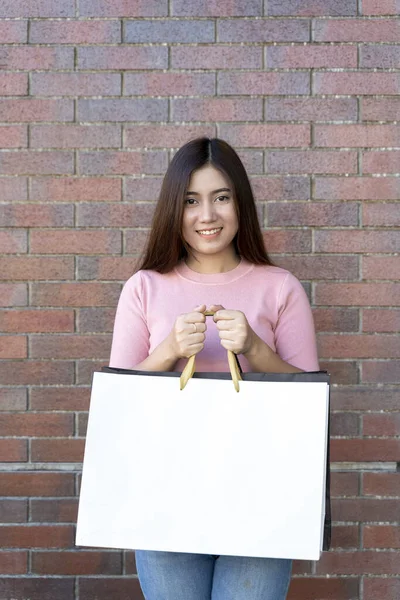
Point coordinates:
[[95, 95]]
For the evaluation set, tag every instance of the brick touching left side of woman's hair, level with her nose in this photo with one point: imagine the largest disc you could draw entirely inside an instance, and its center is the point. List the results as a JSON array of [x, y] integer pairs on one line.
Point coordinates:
[[115, 215]]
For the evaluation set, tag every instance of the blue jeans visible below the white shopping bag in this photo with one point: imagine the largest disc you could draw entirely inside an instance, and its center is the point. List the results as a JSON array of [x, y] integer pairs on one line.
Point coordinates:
[[181, 576]]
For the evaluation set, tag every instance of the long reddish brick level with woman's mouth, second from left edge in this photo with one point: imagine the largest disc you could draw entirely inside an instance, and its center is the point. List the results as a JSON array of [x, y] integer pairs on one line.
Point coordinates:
[[75, 242]]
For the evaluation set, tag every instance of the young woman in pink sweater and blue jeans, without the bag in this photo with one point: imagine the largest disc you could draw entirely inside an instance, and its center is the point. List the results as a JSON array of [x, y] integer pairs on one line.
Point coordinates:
[[206, 253]]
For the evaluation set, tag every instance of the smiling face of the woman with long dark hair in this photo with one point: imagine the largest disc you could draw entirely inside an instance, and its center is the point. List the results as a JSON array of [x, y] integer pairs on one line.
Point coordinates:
[[210, 221]]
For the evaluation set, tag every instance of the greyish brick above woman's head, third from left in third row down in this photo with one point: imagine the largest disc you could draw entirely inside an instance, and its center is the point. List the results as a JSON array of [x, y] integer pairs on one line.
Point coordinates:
[[216, 57]]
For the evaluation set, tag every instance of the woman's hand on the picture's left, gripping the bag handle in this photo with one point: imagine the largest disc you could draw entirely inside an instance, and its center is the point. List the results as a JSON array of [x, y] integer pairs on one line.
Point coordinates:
[[188, 334]]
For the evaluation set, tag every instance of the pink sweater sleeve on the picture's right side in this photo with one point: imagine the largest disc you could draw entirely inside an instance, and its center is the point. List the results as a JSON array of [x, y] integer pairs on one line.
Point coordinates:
[[294, 332]]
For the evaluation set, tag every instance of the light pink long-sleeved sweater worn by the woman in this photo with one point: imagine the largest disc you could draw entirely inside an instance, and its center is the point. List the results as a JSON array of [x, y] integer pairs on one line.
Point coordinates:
[[272, 299]]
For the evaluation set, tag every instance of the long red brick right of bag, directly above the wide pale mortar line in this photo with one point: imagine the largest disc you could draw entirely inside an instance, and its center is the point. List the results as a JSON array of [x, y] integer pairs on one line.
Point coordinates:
[[363, 450]]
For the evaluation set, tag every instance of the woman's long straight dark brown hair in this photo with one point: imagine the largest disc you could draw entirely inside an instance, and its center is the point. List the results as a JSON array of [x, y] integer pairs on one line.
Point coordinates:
[[165, 246]]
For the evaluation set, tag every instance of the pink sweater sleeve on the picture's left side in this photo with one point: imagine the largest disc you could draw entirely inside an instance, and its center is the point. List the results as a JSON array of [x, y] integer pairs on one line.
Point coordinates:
[[130, 344]]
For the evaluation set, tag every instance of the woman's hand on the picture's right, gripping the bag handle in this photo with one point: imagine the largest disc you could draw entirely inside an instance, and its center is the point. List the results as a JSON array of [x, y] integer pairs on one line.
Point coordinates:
[[234, 330]]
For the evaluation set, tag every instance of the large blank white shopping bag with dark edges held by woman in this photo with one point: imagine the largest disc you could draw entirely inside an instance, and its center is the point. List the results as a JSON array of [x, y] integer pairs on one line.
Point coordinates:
[[206, 469]]
